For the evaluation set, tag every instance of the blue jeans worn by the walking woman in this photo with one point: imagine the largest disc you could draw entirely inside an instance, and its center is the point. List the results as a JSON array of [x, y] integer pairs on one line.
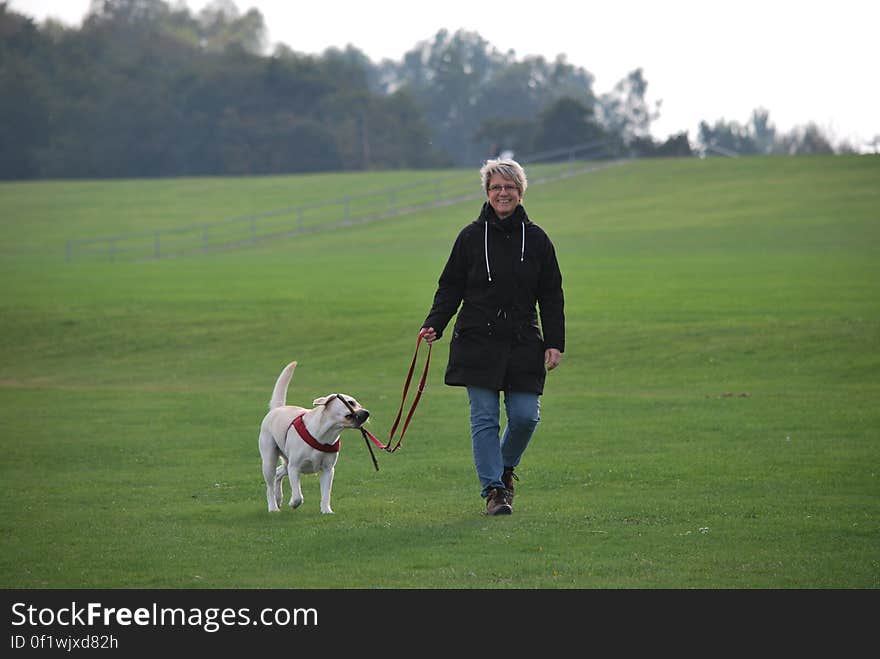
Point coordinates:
[[491, 452]]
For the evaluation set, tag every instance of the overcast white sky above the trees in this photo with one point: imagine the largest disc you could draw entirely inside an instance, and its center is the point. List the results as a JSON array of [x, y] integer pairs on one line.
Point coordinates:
[[804, 61]]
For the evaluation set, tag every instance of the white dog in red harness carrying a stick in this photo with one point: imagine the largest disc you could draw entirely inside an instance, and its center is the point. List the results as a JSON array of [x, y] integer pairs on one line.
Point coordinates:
[[307, 441]]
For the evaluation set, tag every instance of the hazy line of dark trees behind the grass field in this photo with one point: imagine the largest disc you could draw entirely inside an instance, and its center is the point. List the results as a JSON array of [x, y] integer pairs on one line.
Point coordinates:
[[148, 88]]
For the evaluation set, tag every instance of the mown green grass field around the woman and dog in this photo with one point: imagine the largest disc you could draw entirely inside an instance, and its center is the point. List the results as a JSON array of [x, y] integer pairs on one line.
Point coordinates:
[[714, 423]]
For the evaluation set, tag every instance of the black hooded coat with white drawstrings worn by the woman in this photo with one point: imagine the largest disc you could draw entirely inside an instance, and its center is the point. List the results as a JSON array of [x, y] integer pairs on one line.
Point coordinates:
[[500, 270]]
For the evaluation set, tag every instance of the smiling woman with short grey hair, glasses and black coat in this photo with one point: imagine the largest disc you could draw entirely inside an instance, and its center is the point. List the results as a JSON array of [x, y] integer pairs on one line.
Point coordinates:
[[501, 266]]
